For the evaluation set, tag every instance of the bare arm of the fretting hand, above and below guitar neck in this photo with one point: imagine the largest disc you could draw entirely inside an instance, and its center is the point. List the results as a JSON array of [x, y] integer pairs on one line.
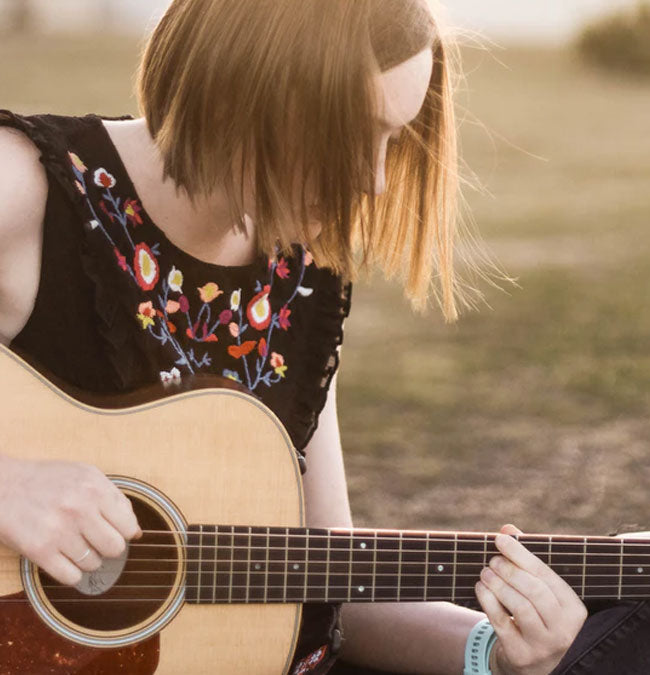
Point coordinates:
[[424, 637]]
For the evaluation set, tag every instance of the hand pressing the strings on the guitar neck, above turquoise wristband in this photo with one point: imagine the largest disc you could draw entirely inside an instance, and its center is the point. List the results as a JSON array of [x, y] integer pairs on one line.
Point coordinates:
[[547, 612]]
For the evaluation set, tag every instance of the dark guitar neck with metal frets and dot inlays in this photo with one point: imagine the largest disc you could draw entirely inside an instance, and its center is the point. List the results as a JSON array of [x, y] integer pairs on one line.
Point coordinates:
[[260, 564]]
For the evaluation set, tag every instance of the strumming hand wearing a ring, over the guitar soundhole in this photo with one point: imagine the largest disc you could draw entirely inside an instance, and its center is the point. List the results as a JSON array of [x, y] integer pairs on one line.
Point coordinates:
[[52, 512]]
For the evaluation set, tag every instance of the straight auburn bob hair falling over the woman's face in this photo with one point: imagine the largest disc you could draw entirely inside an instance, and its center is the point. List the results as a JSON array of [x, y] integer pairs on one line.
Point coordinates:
[[290, 84]]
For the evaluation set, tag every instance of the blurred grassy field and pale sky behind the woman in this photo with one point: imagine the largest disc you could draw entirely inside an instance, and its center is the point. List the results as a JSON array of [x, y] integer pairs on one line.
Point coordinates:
[[533, 410]]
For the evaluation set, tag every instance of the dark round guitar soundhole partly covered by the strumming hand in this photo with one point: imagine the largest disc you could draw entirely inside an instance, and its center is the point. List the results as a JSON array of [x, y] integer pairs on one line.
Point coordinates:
[[145, 584]]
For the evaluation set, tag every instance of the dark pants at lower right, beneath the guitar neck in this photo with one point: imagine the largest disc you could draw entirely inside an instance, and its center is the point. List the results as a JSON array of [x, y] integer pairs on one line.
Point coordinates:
[[614, 640]]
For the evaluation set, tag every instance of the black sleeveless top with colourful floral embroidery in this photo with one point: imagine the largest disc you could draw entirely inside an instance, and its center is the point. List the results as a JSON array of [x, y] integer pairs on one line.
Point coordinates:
[[120, 306]]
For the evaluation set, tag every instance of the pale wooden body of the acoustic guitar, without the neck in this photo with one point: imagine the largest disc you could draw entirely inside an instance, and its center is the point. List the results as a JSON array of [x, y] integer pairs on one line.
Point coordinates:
[[193, 449]]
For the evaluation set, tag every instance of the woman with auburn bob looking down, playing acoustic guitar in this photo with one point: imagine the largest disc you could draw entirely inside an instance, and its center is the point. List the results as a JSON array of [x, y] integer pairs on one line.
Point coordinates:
[[341, 111]]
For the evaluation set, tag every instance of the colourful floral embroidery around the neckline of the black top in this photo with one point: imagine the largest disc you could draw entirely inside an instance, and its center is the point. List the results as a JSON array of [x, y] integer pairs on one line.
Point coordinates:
[[167, 312]]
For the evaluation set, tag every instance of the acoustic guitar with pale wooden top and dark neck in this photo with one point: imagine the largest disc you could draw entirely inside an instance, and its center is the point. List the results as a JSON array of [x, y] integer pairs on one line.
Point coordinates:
[[226, 563]]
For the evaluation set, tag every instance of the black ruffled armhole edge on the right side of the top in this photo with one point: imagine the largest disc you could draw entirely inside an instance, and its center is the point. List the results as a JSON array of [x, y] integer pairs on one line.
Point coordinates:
[[322, 358]]
